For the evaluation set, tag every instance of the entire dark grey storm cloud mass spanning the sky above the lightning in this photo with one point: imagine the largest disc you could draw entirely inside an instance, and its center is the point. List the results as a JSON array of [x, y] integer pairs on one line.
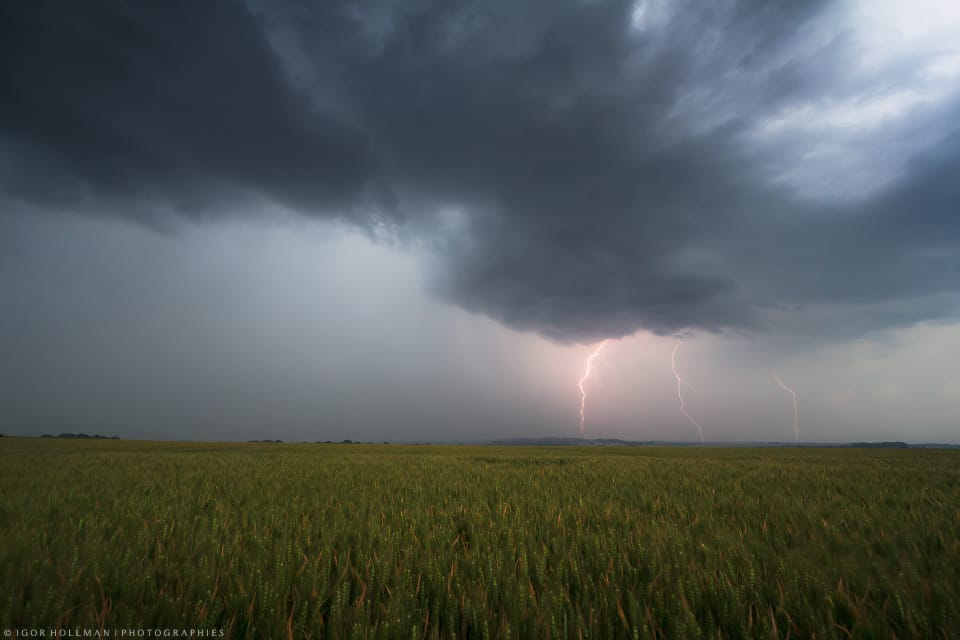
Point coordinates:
[[576, 172]]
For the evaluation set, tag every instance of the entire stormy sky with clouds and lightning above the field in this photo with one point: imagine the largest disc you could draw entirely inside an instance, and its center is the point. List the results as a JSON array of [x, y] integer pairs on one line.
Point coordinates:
[[415, 220]]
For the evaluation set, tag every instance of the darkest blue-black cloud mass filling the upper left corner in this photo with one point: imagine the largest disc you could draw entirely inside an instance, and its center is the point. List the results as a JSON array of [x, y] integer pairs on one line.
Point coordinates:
[[135, 106]]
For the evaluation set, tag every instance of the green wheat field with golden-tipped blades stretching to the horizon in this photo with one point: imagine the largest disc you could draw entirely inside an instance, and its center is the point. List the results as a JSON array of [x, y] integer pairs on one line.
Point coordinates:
[[338, 541]]
